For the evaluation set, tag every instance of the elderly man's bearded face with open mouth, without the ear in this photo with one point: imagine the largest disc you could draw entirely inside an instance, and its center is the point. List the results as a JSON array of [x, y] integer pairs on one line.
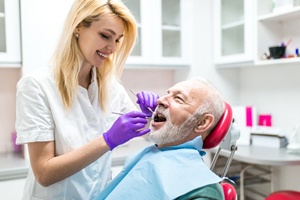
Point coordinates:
[[174, 117]]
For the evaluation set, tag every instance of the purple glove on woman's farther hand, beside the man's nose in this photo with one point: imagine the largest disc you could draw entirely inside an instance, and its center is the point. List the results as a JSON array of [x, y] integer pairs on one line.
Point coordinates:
[[147, 102]]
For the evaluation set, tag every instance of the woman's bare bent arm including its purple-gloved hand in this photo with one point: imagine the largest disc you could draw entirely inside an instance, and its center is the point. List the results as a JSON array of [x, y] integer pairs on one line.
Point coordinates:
[[49, 168]]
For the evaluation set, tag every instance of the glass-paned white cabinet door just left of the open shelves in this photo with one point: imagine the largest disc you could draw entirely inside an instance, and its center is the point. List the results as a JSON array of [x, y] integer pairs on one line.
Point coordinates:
[[234, 34]]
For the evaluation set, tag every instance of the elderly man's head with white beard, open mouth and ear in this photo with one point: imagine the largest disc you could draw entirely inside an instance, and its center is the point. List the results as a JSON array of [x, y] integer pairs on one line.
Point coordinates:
[[183, 114]]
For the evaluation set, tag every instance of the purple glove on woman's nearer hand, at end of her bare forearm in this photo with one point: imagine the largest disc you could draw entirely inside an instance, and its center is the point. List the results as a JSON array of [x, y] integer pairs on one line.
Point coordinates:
[[125, 128]]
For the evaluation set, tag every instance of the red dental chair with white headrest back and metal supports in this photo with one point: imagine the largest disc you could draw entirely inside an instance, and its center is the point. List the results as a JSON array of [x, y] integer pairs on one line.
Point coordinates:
[[225, 134]]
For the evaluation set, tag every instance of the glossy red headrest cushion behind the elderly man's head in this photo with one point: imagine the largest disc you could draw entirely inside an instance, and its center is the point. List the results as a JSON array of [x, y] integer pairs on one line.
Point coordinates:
[[221, 129]]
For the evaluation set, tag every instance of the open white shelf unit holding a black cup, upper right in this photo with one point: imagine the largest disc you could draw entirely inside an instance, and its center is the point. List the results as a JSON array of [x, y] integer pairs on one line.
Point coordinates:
[[276, 27]]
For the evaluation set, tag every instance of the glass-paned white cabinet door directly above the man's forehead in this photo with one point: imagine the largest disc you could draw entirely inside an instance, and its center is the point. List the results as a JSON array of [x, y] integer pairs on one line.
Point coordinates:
[[173, 23]]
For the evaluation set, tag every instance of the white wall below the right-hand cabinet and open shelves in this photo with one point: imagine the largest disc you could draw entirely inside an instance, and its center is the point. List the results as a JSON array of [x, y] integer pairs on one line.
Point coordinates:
[[273, 90]]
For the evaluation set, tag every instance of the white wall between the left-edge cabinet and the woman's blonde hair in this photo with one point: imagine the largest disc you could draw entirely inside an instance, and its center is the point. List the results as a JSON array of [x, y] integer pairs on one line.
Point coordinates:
[[38, 46]]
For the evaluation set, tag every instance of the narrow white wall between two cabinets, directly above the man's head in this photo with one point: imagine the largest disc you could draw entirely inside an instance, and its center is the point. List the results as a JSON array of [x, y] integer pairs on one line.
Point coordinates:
[[201, 49]]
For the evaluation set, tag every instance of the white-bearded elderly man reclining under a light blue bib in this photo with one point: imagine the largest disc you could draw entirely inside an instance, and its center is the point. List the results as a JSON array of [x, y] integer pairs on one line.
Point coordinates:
[[173, 168]]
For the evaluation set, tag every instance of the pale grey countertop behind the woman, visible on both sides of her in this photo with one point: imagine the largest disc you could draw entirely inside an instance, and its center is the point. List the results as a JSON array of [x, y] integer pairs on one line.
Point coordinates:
[[14, 166]]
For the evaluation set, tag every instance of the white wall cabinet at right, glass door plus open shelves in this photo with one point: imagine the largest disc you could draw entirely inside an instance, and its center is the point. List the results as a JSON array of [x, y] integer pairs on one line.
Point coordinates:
[[245, 29]]
